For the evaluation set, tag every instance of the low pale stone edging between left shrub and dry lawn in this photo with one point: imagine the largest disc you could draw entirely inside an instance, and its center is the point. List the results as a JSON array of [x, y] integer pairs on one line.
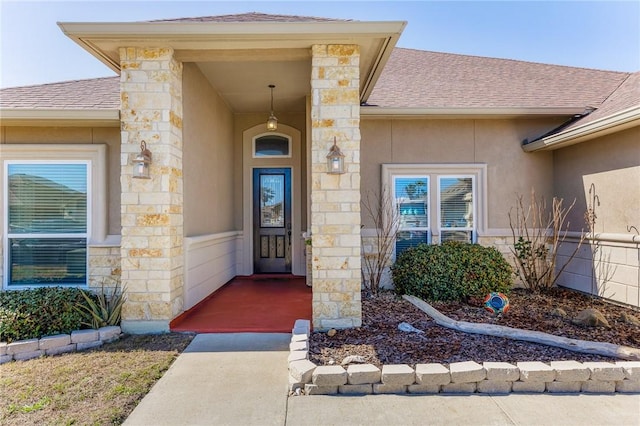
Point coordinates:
[[78, 340]]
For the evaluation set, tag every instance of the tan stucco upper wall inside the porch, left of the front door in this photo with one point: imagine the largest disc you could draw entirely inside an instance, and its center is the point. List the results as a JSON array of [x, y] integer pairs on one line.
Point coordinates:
[[208, 157]]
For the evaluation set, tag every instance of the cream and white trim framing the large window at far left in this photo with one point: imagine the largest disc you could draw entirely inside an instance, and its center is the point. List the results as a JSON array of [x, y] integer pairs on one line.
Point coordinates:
[[93, 155]]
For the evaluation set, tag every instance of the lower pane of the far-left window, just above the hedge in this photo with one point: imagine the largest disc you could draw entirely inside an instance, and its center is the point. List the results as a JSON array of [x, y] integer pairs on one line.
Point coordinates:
[[47, 261]]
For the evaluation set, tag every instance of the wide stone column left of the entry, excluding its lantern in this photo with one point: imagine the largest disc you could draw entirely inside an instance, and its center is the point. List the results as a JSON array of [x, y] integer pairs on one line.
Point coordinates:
[[151, 210]]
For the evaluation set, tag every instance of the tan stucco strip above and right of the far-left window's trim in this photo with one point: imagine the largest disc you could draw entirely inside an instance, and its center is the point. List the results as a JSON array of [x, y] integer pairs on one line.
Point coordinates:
[[109, 136]]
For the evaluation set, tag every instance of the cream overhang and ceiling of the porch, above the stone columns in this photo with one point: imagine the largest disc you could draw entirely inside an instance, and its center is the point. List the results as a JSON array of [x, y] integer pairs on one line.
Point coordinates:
[[242, 59]]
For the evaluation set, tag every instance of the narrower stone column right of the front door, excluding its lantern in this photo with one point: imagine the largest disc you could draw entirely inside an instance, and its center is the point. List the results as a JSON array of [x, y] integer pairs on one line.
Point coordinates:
[[335, 199]]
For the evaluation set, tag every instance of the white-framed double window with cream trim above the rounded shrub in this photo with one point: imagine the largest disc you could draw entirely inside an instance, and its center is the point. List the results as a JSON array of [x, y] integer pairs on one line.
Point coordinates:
[[435, 202]]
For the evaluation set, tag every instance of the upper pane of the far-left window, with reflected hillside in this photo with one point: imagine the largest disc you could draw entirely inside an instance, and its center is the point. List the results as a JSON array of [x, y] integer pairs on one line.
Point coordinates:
[[47, 198]]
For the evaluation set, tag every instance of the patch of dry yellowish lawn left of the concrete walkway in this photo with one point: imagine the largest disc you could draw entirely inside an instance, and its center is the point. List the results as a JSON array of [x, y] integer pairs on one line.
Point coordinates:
[[97, 387]]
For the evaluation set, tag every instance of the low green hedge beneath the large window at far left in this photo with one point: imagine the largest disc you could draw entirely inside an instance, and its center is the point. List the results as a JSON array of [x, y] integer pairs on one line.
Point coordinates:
[[34, 313]]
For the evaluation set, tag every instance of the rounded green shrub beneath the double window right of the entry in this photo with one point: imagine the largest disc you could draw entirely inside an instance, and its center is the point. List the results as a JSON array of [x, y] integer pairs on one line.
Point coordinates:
[[451, 271]]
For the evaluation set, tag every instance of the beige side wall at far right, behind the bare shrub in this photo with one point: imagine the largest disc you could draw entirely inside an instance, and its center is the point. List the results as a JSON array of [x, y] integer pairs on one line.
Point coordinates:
[[608, 264]]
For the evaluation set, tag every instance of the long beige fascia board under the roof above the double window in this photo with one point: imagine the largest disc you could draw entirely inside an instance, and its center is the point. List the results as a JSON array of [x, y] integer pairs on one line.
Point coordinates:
[[382, 112]]
